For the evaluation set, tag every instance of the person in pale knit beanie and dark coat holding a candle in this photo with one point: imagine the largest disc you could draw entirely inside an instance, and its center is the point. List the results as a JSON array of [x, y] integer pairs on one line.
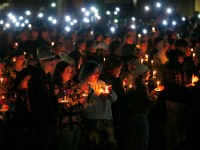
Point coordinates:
[[139, 107]]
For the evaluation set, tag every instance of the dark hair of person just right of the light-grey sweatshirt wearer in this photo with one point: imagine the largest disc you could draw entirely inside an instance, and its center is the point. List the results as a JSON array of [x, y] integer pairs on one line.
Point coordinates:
[[112, 63]]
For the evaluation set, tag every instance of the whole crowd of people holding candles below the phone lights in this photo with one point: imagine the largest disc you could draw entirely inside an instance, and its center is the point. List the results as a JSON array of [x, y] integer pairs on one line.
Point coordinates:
[[96, 91]]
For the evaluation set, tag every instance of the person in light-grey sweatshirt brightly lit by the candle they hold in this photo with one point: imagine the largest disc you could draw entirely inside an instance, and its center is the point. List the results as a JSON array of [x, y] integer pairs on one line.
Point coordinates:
[[98, 132]]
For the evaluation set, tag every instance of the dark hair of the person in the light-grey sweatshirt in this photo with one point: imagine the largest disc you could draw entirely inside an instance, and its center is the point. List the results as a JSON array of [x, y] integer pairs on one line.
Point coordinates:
[[88, 69]]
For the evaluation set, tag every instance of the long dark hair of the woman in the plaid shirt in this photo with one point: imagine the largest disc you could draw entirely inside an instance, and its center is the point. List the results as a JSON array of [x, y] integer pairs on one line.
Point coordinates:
[[60, 67]]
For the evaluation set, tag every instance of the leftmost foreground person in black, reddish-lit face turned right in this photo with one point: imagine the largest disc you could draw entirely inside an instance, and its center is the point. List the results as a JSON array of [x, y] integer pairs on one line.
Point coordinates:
[[19, 126]]
